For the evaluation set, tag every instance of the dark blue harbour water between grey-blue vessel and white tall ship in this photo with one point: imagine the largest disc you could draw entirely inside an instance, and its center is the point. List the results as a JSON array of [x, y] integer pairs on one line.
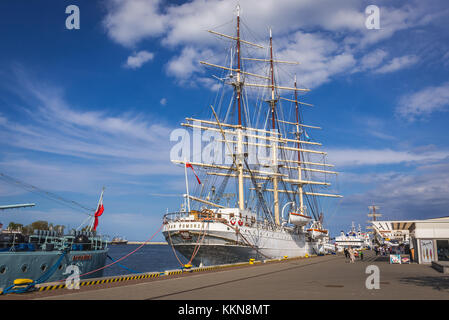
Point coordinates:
[[149, 258]]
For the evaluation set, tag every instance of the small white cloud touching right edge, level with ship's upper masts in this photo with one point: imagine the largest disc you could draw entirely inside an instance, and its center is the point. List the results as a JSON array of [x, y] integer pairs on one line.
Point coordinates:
[[424, 102]]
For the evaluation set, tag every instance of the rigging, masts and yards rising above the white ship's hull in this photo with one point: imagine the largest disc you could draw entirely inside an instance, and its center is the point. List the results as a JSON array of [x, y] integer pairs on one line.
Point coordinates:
[[268, 153]]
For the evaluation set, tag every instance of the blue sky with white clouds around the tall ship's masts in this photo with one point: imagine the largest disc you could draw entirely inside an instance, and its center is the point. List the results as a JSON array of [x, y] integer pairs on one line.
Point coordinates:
[[82, 109]]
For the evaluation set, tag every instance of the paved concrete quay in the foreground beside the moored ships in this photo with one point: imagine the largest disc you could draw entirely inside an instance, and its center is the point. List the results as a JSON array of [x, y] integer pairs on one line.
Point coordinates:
[[324, 277]]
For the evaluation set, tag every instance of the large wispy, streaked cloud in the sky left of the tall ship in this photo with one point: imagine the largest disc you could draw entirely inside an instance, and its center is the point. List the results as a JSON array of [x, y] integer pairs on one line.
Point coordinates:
[[86, 148]]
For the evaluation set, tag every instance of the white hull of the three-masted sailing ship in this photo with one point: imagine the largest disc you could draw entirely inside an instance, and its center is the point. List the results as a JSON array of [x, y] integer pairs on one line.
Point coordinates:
[[217, 243]]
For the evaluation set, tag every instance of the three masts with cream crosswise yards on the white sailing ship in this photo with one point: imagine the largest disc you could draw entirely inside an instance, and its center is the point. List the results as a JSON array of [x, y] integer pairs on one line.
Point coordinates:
[[234, 136]]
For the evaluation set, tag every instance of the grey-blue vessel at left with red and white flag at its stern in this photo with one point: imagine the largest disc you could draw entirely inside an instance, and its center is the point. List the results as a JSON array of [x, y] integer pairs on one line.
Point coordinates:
[[51, 255]]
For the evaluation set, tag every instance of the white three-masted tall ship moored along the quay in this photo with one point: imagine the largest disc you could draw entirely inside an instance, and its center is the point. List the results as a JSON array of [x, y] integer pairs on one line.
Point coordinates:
[[267, 153]]
